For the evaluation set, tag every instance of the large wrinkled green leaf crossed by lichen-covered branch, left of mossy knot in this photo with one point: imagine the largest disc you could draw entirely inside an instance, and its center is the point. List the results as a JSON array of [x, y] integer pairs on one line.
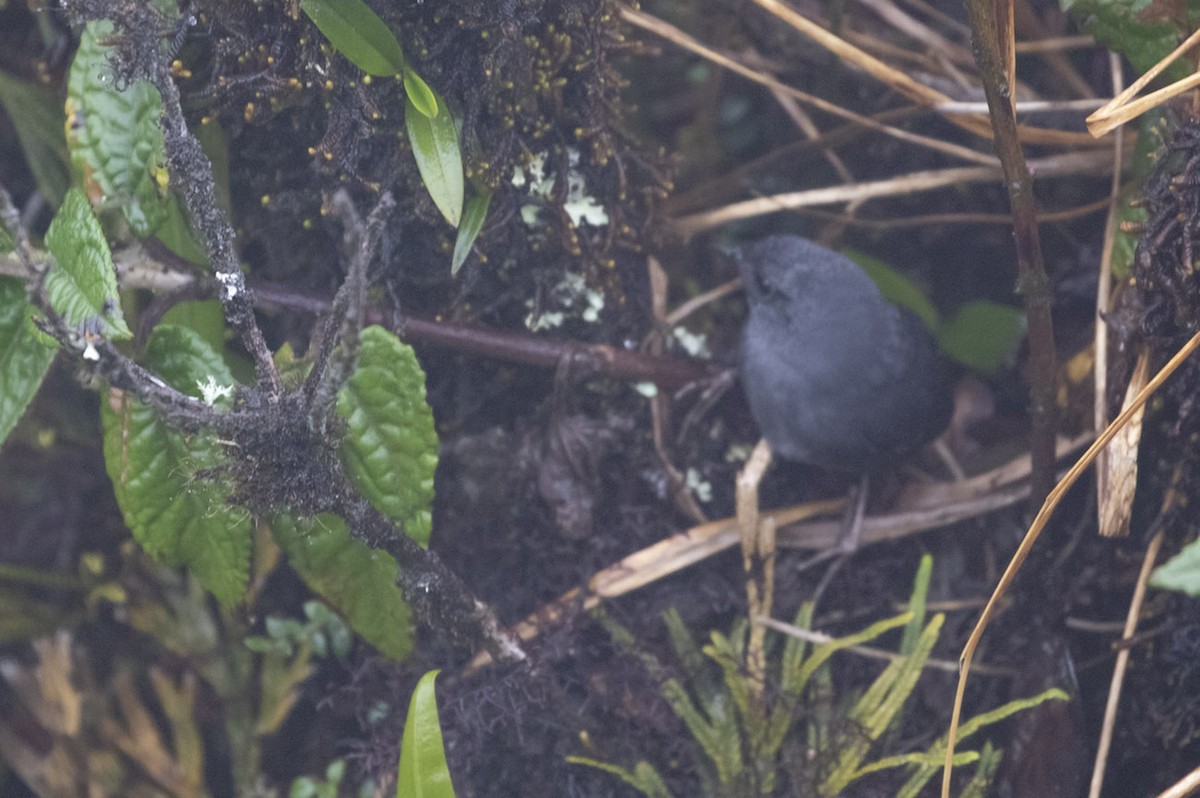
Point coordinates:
[[171, 487]]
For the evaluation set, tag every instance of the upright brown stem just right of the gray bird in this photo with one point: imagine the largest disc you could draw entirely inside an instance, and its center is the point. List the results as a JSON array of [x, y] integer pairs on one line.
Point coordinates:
[[1033, 284]]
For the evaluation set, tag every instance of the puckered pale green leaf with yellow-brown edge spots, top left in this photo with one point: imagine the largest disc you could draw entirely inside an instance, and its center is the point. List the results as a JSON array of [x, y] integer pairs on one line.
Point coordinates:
[[113, 136]]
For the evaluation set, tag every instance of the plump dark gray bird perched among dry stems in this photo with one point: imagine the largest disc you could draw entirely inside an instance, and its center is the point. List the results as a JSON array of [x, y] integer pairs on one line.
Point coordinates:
[[836, 375]]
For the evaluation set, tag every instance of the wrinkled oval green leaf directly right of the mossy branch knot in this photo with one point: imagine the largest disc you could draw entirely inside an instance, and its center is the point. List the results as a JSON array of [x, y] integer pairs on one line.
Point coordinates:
[[391, 451]]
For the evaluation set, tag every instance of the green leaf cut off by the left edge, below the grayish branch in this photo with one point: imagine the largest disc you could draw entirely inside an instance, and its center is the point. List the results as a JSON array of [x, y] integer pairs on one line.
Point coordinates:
[[25, 355]]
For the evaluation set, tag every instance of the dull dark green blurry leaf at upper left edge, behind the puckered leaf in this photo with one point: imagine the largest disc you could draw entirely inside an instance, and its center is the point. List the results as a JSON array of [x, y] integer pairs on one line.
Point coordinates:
[[39, 121]]
